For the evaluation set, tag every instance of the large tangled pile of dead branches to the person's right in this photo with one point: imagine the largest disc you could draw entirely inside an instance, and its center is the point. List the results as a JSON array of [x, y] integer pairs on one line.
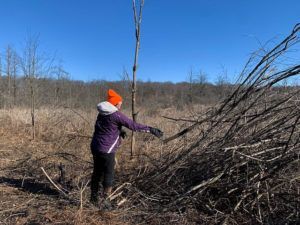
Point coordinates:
[[242, 163]]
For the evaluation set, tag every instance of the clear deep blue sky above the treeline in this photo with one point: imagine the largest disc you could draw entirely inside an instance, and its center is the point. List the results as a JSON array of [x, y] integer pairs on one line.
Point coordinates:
[[95, 38]]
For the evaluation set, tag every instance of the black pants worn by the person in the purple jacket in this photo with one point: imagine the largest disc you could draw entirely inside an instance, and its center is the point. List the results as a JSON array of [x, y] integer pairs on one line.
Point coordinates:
[[104, 166]]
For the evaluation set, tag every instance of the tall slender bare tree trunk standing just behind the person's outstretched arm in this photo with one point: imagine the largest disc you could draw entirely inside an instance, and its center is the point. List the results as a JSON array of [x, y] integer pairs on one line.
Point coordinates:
[[137, 22]]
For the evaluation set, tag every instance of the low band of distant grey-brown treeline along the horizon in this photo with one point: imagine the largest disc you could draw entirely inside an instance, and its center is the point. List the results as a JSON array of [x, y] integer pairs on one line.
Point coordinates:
[[17, 92]]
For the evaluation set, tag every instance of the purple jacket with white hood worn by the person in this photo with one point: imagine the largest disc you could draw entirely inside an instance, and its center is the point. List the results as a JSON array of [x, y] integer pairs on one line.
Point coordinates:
[[106, 138]]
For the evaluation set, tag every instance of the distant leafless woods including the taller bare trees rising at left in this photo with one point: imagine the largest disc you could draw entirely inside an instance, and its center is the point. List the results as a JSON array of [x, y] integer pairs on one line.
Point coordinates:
[[32, 79]]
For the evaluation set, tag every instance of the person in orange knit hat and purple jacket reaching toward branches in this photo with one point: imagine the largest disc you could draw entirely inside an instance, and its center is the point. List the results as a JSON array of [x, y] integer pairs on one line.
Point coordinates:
[[106, 140]]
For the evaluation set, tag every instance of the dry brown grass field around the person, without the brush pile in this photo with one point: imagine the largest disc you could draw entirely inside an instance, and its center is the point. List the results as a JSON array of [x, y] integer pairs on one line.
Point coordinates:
[[62, 139]]
